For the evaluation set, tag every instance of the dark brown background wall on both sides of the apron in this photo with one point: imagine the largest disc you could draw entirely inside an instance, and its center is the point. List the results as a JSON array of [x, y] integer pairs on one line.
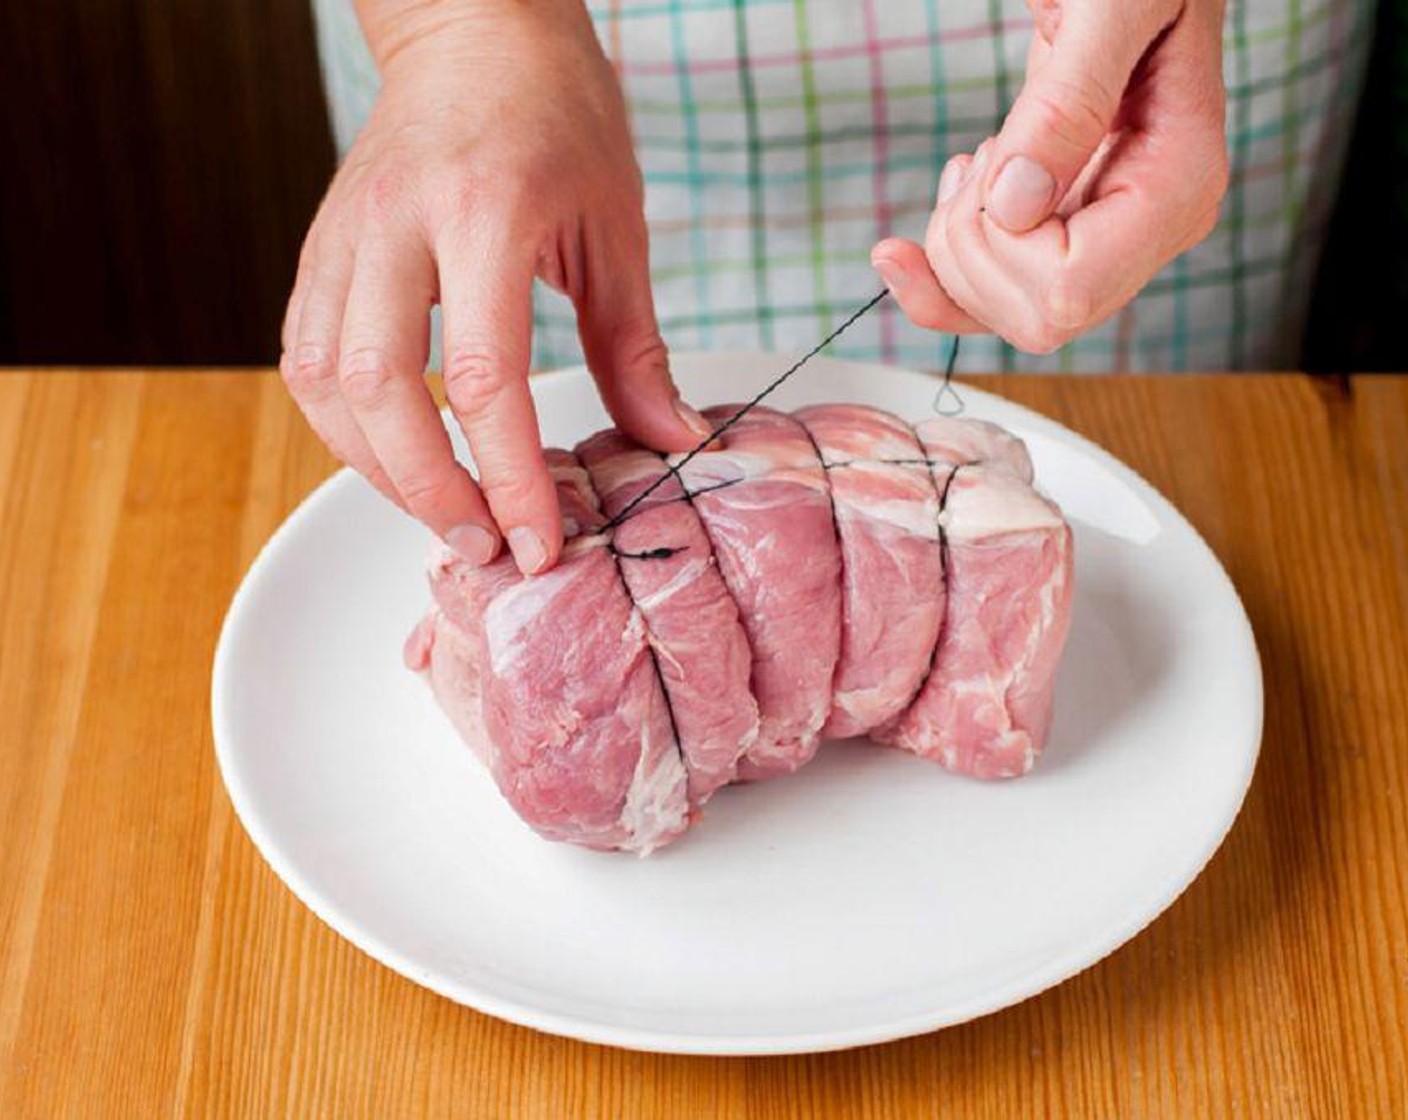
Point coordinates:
[[160, 161]]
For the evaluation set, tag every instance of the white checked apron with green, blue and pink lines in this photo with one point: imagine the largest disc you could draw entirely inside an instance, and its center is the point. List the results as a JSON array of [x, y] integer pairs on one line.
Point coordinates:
[[782, 139]]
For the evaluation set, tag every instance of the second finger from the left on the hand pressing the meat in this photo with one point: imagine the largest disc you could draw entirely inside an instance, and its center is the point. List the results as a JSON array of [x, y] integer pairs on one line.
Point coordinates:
[[384, 351]]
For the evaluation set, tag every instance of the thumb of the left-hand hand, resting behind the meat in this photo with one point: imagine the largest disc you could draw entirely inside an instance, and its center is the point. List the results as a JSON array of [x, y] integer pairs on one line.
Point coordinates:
[[623, 346]]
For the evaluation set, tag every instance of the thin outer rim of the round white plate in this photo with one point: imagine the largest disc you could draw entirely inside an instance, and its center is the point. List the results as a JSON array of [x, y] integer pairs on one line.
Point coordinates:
[[1010, 993]]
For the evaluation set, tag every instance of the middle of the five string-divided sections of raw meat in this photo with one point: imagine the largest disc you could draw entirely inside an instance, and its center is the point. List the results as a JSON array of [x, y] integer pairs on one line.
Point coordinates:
[[767, 508]]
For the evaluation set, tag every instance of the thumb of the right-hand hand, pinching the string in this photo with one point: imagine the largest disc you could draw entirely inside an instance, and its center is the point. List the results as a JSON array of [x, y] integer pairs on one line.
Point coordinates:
[[1065, 111]]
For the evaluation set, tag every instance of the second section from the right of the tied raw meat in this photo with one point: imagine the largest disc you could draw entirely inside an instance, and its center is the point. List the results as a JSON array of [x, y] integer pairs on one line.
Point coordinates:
[[888, 518]]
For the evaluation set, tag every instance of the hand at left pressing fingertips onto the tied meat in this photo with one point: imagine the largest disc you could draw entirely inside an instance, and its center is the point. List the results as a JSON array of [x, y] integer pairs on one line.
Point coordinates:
[[498, 153]]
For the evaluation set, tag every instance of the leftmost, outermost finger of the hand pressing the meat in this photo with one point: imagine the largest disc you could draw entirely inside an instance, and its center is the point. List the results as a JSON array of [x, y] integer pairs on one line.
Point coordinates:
[[309, 363]]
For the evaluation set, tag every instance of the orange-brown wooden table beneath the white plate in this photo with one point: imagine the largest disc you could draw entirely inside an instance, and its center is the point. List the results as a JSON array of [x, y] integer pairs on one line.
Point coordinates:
[[153, 966]]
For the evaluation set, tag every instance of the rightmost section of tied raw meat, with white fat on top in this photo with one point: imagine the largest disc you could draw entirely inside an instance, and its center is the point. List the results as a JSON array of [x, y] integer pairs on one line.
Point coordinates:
[[986, 707]]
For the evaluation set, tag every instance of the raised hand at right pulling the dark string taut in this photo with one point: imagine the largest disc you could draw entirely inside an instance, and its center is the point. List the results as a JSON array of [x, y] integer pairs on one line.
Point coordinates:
[[1112, 163]]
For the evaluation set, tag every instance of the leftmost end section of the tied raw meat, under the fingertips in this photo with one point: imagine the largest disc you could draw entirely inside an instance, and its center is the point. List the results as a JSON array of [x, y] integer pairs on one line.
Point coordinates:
[[554, 684]]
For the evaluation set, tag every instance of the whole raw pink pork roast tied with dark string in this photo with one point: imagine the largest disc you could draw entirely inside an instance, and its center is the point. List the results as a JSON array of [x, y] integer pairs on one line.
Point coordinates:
[[826, 574]]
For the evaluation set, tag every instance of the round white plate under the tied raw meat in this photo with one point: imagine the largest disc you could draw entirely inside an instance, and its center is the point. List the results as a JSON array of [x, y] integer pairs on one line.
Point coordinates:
[[868, 898]]
